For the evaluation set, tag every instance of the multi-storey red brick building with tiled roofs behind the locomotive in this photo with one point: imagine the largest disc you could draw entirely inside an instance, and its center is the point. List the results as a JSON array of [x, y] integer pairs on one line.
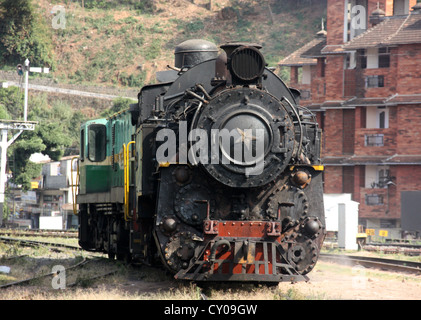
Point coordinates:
[[362, 77]]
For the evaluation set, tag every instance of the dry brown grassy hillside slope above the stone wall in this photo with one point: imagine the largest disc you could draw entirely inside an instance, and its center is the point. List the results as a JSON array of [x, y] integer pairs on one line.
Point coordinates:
[[123, 43]]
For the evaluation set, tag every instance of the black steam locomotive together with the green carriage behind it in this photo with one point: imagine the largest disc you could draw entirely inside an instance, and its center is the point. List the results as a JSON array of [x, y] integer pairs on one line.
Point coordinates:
[[215, 173]]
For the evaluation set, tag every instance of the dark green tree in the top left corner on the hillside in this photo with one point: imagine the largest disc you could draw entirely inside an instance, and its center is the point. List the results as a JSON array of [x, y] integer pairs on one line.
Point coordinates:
[[24, 34]]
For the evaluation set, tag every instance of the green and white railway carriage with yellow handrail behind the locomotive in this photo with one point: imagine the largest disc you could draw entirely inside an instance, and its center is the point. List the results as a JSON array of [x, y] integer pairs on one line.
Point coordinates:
[[105, 160]]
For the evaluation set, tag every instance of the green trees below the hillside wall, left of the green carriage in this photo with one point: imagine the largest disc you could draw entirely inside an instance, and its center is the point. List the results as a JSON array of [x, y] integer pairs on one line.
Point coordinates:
[[56, 130]]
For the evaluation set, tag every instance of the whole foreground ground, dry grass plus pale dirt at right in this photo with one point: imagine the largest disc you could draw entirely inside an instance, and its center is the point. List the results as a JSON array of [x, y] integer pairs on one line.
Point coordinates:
[[328, 281]]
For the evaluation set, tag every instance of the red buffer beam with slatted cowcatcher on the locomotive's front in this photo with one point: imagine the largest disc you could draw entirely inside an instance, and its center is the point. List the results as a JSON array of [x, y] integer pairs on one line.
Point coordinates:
[[230, 254]]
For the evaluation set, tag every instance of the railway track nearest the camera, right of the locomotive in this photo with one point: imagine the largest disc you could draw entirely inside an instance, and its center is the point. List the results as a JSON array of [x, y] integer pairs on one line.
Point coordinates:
[[378, 263]]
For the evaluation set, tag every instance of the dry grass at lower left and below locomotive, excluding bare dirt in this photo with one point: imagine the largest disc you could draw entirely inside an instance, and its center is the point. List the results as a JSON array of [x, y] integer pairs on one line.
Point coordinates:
[[128, 283]]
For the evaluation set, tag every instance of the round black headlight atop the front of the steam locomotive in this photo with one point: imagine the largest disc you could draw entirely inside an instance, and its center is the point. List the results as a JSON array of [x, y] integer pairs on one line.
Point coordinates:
[[247, 63]]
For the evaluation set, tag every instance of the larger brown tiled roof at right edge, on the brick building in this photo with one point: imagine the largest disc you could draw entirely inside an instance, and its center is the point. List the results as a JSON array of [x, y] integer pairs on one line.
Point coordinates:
[[391, 31]]
